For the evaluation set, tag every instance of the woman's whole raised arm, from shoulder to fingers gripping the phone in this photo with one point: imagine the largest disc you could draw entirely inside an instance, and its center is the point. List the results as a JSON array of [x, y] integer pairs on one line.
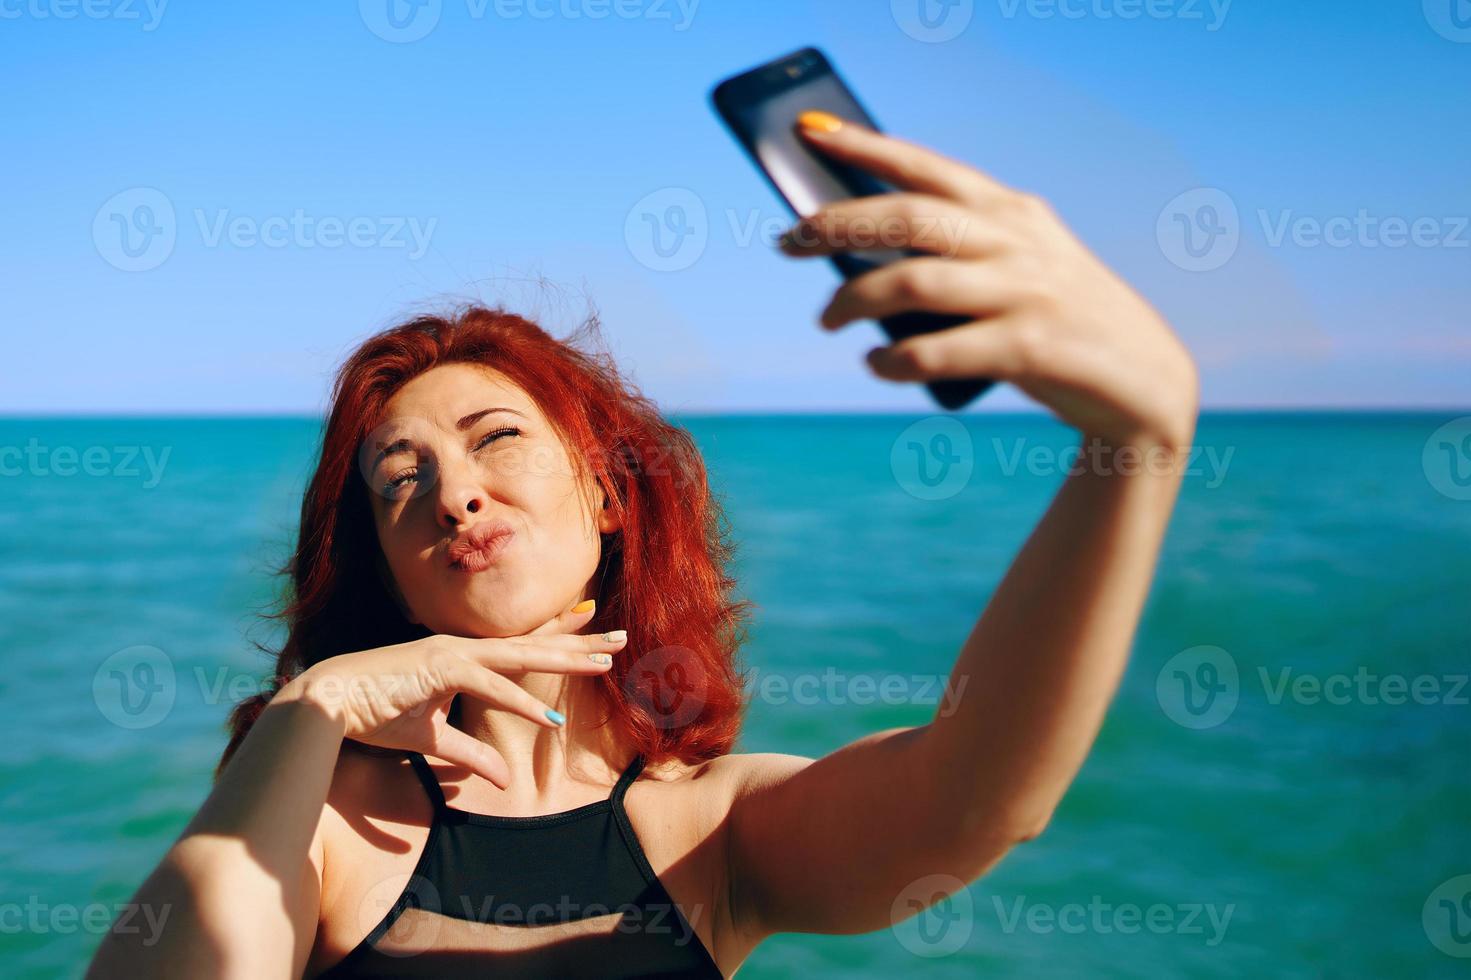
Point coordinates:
[[830, 845]]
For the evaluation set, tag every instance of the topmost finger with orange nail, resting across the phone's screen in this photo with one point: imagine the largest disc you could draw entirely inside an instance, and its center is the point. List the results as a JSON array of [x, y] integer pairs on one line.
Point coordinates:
[[902, 164]]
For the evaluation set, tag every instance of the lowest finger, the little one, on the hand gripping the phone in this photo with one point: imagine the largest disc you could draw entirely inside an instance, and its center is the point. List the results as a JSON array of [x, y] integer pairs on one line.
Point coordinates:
[[994, 349]]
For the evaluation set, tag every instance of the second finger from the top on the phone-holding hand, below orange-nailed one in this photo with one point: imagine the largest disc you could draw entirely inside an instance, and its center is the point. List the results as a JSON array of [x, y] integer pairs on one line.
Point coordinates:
[[895, 221]]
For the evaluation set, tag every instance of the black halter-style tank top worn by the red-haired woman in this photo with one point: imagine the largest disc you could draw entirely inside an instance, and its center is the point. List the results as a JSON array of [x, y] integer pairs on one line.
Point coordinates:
[[563, 895]]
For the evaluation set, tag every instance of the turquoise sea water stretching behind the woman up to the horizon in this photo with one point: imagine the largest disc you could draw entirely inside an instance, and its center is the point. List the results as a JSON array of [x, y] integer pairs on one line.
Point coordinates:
[[1283, 816]]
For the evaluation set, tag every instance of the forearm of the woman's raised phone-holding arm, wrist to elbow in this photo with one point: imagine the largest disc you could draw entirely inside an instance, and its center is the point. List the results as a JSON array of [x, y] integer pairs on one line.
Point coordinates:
[[1047, 657]]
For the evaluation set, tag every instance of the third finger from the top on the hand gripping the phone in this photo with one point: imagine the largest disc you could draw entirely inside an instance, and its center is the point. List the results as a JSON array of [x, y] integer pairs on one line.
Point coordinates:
[[939, 286]]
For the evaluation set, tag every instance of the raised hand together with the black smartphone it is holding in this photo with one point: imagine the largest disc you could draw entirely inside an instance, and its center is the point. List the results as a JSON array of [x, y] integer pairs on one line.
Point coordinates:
[[1036, 308]]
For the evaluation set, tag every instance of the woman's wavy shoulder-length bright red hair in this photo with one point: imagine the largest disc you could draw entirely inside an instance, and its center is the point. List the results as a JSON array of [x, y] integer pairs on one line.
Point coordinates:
[[664, 576]]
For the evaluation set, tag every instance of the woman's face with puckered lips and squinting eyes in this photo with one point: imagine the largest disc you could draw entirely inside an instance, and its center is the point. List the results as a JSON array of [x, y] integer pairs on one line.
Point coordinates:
[[463, 448]]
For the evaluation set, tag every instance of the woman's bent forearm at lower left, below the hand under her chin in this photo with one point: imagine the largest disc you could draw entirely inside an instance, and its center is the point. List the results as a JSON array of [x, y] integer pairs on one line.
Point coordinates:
[[238, 894]]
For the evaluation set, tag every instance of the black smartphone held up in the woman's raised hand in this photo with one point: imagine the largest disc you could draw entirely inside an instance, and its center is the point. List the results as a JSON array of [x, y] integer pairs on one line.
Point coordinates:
[[761, 110]]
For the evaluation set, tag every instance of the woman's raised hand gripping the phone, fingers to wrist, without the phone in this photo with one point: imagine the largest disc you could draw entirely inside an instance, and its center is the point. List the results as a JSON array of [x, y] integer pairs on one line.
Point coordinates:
[[1050, 317]]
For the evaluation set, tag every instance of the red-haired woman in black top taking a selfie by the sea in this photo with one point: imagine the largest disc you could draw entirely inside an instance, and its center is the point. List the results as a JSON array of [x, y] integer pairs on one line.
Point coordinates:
[[508, 700]]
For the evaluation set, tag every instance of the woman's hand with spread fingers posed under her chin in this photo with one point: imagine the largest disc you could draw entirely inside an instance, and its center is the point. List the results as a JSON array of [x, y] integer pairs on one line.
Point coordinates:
[[399, 697]]
